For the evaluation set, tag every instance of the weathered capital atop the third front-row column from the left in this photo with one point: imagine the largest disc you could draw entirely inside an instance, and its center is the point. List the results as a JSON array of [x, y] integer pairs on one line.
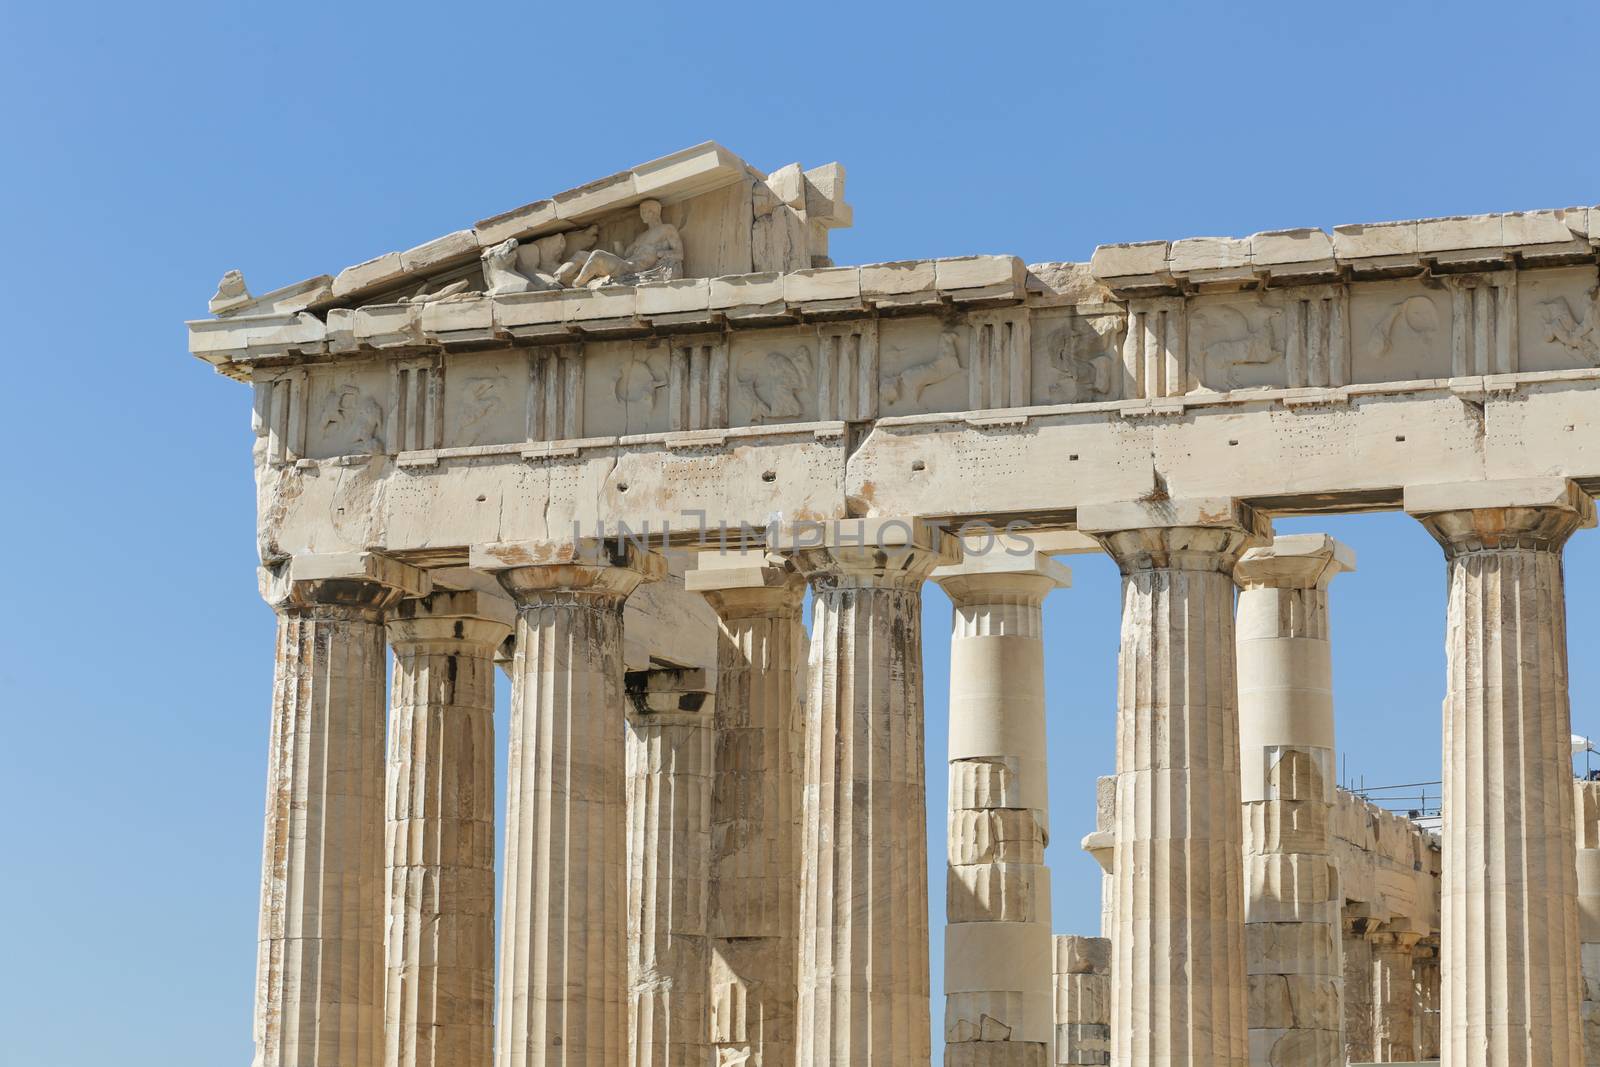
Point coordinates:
[[868, 553]]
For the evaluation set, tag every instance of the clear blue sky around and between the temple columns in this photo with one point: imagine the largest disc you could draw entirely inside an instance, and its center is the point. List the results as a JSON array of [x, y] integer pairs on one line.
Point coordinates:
[[150, 148]]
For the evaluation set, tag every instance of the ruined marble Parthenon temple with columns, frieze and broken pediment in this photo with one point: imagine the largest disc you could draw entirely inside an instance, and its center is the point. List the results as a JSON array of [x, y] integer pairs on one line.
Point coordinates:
[[610, 444]]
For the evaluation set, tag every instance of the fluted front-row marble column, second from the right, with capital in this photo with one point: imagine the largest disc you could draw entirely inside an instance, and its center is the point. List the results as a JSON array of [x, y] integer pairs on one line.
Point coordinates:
[[1178, 994]]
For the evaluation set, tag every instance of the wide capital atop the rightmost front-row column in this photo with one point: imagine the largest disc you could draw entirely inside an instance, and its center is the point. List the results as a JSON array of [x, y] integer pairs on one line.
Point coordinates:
[[1495, 516]]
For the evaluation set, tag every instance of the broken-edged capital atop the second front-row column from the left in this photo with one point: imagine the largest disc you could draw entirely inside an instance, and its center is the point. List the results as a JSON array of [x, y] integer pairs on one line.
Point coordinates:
[[606, 570]]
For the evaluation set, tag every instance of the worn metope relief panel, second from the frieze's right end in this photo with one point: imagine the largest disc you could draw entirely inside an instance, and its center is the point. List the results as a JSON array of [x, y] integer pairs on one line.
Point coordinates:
[[1399, 332]]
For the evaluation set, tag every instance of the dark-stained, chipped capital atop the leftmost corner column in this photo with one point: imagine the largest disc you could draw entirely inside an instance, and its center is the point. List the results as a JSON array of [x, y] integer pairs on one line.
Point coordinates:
[[361, 585]]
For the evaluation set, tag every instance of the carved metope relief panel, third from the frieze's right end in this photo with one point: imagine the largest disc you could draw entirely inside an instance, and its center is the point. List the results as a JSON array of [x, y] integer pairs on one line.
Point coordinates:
[[1236, 342]]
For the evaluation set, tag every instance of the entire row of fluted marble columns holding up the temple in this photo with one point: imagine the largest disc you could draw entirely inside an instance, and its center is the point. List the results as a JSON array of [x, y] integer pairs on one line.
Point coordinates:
[[807, 937]]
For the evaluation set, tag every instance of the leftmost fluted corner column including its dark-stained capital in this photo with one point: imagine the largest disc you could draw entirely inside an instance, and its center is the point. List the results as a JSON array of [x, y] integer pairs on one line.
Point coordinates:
[[321, 961]]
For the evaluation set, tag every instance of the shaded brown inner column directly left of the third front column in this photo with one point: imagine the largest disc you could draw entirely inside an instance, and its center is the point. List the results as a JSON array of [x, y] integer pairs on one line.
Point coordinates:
[[756, 805]]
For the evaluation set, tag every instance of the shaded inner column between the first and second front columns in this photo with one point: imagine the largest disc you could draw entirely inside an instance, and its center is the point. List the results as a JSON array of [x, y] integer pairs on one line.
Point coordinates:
[[439, 941]]
